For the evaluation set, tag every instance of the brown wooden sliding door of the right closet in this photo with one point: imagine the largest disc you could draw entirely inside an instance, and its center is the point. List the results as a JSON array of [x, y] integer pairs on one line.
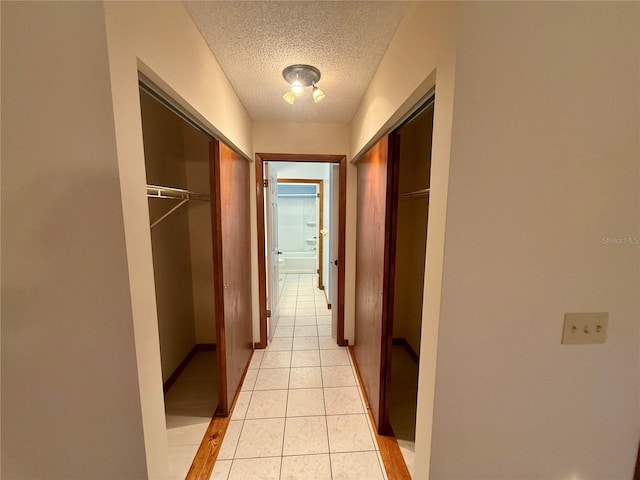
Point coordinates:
[[372, 272]]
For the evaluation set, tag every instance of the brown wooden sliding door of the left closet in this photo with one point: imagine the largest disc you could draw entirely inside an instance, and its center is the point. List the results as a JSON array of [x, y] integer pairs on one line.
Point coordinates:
[[232, 257]]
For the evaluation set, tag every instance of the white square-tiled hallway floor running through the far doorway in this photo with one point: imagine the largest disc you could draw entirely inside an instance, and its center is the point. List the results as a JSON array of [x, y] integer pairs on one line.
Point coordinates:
[[300, 414]]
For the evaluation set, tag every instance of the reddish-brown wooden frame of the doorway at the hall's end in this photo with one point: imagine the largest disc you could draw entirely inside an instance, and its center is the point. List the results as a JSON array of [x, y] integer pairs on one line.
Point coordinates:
[[260, 158]]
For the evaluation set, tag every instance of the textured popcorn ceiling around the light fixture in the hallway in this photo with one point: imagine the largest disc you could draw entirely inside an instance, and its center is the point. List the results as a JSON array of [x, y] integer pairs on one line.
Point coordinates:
[[255, 41]]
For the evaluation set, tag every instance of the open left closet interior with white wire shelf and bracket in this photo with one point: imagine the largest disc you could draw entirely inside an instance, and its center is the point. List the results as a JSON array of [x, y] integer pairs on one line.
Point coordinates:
[[178, 170]]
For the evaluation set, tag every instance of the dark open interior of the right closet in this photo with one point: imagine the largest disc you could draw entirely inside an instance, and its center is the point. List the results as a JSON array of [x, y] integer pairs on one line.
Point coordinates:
[[410, 187]]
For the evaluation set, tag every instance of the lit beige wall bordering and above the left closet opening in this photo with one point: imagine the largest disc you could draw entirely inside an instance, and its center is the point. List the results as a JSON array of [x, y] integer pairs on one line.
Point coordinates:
[[160, 39]]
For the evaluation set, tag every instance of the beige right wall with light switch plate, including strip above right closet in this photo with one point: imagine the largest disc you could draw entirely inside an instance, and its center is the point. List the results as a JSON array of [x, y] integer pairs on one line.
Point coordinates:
[[543, 162]]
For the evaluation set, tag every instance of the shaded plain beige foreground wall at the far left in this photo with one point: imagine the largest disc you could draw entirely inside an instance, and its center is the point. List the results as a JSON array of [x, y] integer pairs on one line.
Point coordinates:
[[70, 392]]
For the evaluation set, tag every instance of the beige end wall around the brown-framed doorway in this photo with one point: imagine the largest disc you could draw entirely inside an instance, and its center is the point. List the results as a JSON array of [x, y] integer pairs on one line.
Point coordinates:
[[310, 138]]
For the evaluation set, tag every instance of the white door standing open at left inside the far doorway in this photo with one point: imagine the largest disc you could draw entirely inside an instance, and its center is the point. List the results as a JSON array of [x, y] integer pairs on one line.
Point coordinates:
[[271, 234]]
